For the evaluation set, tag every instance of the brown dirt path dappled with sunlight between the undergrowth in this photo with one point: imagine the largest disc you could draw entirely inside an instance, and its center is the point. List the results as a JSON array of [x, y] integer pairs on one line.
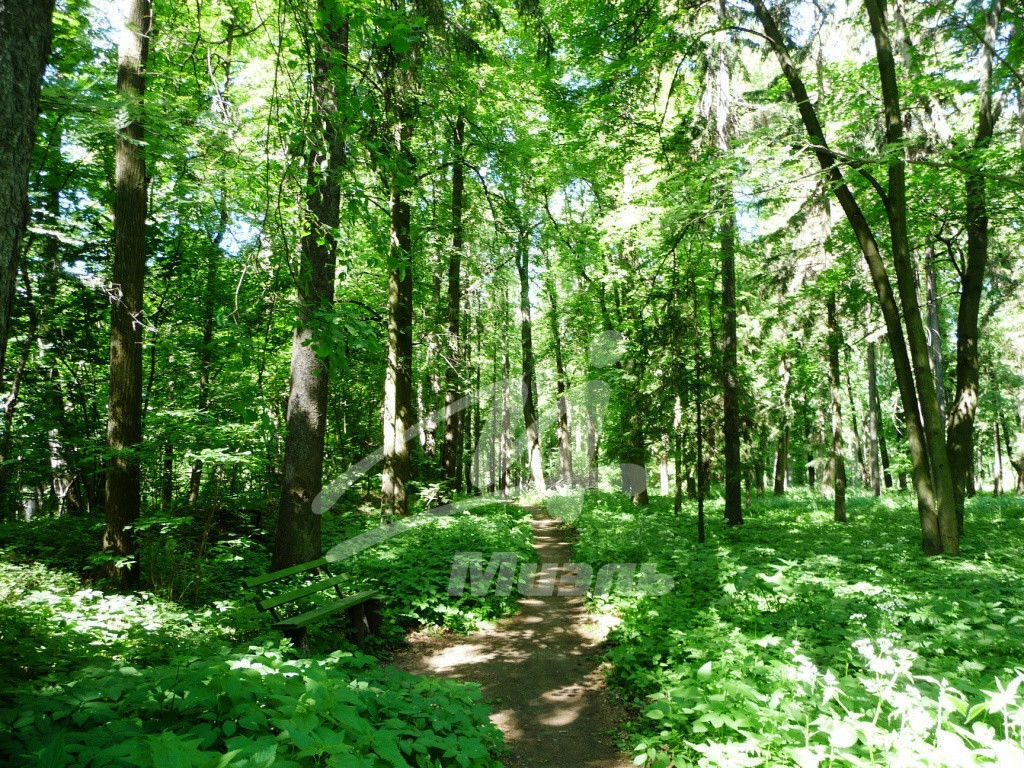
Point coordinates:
[[540, 670]]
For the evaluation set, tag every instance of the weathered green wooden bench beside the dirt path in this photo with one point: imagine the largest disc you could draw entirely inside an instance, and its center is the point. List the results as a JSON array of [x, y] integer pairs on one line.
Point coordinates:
[[363, 609]]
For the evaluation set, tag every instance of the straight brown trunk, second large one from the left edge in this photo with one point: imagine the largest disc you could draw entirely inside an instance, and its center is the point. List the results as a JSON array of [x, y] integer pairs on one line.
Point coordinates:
[[122, 500]]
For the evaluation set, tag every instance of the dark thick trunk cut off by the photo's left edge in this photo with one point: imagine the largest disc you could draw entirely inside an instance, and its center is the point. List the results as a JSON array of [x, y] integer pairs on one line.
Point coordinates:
[[25, 51]]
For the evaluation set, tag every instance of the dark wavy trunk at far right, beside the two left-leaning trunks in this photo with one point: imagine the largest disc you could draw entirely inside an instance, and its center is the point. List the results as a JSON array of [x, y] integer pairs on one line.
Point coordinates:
[[962, 416]]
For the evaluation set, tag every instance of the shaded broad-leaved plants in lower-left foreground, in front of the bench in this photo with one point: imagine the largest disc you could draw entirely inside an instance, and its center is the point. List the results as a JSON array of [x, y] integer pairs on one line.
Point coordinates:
[[251, 710]]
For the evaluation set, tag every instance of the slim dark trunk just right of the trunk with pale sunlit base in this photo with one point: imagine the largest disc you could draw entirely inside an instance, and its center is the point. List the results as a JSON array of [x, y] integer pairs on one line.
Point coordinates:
[[454, 431]]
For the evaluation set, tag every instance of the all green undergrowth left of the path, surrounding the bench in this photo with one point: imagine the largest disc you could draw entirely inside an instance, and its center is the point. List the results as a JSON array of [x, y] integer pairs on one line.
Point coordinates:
[[97, 678]]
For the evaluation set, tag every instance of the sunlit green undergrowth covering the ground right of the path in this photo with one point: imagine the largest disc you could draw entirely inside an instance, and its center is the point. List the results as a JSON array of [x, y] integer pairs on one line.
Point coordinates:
[[801, 643]]
